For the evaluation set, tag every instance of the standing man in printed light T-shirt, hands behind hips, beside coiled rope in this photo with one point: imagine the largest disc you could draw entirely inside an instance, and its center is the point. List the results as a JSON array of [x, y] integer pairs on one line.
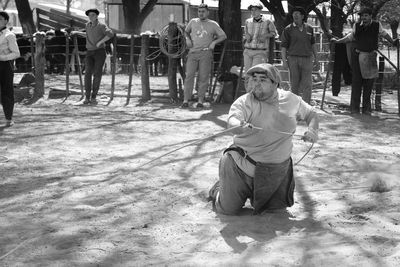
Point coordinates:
[[202, 34]]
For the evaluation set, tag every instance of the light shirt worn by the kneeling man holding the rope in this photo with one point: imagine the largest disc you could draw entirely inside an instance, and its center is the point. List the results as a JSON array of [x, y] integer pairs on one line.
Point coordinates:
[[273, 144]]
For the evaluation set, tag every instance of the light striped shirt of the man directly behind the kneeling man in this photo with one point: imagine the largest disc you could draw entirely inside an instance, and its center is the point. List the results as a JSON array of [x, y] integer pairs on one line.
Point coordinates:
[[258, 32]]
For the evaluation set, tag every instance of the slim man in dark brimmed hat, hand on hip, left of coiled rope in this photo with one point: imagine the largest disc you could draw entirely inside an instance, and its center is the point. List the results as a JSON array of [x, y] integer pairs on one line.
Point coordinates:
[[97, 34]]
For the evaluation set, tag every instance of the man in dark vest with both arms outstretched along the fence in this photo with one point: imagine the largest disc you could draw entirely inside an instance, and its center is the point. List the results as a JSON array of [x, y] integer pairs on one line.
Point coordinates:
[[365, 35]]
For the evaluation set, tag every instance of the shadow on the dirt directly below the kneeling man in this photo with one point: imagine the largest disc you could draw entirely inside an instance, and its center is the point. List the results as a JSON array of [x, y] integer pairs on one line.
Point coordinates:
[[241, 231]]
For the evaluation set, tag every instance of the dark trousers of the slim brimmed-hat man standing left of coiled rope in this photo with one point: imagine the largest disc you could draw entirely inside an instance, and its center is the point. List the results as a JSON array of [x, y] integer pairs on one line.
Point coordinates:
[[94, 62]]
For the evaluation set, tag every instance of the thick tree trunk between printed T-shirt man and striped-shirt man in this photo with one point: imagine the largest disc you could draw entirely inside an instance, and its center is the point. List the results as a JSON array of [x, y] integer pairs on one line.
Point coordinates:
[[229, 14]]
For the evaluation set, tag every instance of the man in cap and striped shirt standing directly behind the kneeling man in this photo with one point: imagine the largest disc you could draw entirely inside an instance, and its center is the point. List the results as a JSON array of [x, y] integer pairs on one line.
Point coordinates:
[[258, 31]]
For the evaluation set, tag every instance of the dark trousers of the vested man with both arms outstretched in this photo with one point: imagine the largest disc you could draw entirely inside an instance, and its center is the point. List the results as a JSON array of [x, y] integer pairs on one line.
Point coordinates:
[[359, 86]]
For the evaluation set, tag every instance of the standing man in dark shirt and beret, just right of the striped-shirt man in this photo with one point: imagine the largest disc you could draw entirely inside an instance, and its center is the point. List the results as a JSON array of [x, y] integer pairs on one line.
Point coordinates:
[[298, 51]]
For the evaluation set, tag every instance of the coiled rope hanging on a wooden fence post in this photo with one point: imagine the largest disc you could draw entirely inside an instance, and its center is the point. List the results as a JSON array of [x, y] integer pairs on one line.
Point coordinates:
[[177, 44]]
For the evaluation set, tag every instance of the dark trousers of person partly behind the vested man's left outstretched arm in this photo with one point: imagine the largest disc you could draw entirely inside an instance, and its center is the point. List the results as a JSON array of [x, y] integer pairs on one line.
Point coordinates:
[[341, 67]]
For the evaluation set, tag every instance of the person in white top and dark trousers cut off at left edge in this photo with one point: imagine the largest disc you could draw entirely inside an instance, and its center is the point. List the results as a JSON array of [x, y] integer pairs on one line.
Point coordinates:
[[8, 52]]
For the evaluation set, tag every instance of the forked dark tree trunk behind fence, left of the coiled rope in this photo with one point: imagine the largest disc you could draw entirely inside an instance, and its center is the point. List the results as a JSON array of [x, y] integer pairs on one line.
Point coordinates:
[[133, 16]]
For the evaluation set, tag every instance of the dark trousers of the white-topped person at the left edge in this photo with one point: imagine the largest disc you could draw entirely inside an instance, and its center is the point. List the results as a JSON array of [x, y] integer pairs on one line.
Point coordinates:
[[7, 88]]
